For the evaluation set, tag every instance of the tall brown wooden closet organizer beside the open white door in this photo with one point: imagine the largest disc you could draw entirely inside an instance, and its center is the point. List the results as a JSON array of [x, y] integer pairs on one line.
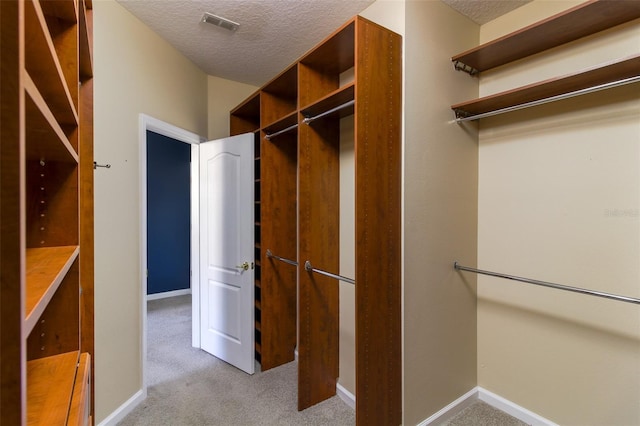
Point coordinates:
[[299, 214]]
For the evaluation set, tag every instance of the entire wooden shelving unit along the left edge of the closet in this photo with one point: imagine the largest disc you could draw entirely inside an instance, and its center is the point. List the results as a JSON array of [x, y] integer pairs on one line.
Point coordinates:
[[47, 267]]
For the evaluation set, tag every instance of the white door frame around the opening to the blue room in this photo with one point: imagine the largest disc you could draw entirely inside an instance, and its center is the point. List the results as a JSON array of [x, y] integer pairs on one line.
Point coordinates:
[[147, 123]]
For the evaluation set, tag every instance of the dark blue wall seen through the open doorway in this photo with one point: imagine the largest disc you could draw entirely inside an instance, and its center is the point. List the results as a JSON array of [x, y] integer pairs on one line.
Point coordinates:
[[168, 214]]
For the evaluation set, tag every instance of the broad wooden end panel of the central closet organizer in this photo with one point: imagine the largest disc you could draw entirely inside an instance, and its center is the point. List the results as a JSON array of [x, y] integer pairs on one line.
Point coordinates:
[[378, 237]]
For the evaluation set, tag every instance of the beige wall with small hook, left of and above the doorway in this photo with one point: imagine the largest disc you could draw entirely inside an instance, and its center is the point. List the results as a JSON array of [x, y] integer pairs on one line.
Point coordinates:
[[135, 72]]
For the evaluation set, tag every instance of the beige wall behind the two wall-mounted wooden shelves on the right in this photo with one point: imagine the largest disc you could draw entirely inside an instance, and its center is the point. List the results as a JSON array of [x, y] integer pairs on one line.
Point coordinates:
[[559, 196]]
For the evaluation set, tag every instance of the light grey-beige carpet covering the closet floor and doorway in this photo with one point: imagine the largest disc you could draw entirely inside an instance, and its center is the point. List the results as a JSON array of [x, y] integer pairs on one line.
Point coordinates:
[[187, 386]]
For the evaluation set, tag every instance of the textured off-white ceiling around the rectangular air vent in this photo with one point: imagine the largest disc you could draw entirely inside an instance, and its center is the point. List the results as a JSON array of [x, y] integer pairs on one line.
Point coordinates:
[[272, 34]]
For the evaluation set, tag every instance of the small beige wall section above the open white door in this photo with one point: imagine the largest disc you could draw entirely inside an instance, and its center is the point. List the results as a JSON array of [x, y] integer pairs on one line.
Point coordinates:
[[224, 95]]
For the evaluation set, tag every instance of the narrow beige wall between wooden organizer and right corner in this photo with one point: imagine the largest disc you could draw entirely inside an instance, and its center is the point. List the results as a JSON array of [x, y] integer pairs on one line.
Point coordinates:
[[440, 213]]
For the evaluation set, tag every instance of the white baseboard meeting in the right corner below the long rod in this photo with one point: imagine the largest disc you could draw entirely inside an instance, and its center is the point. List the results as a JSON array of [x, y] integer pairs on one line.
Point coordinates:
[[492, 399]]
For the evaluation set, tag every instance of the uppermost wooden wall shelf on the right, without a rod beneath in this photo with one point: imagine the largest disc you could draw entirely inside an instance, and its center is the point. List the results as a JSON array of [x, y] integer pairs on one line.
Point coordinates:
[[583, 20]]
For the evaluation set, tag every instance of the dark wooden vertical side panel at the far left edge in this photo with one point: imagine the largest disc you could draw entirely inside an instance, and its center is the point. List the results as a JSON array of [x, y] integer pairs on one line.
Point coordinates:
[[12, 351]]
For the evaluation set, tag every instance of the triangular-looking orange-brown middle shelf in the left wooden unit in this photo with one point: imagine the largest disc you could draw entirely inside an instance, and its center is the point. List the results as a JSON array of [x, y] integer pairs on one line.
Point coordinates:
[[46, 268]]
